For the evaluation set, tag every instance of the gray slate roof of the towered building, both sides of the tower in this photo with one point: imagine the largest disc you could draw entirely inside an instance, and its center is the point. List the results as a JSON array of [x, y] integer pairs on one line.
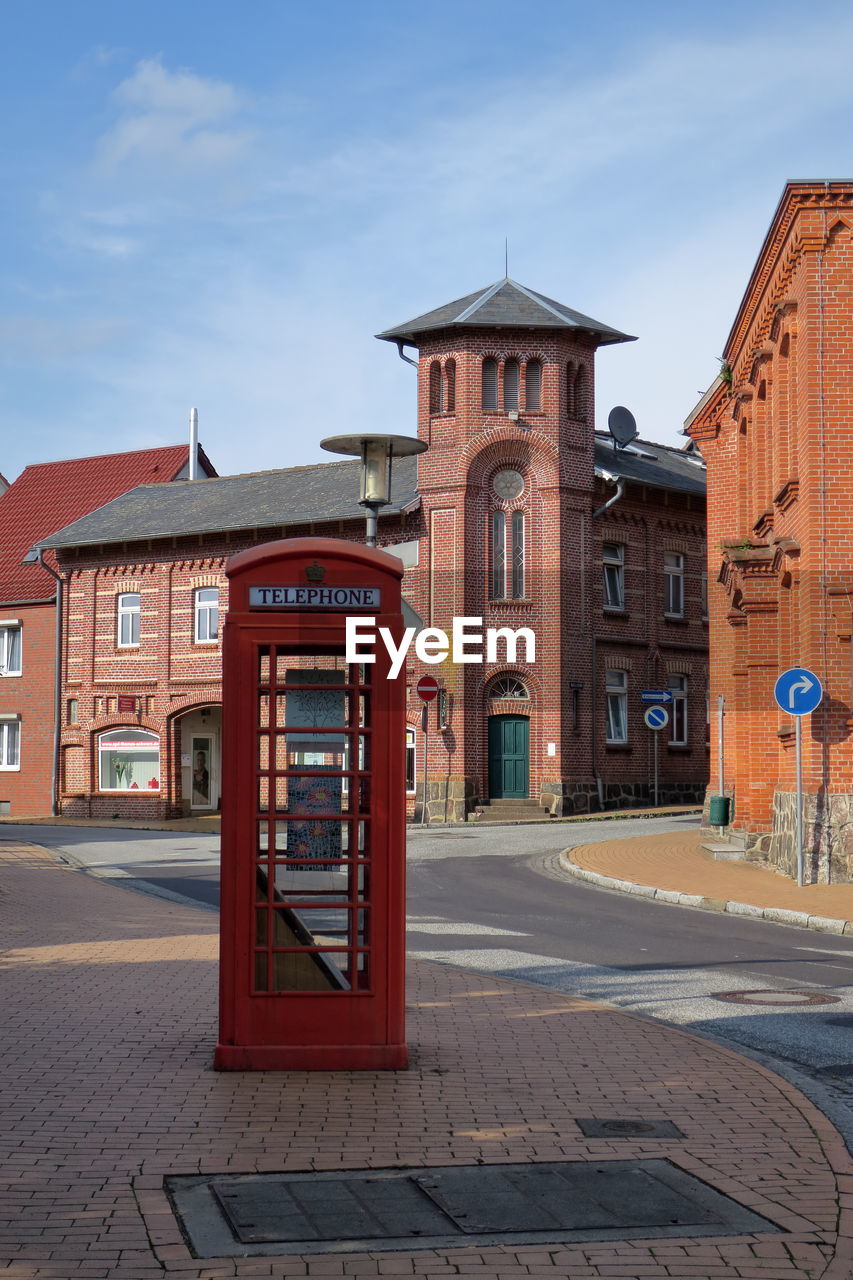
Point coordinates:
[[325, 492]]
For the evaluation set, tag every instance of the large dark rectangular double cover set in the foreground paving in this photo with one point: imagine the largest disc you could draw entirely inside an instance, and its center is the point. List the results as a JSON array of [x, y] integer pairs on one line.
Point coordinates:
[[399, 1209]]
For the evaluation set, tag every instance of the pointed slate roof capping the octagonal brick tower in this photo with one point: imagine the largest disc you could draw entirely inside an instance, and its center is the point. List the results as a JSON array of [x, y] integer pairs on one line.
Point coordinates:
[[504, 305]]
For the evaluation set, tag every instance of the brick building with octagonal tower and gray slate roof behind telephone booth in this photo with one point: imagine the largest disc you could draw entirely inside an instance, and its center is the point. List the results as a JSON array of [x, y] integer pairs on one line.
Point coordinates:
[[518, 515]]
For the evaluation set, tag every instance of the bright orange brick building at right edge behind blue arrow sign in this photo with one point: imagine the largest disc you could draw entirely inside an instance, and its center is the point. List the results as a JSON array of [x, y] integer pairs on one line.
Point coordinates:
[[776, 431]]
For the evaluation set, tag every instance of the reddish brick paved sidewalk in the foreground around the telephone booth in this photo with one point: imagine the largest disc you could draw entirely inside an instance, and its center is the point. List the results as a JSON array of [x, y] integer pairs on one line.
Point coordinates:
[[108, 1034]]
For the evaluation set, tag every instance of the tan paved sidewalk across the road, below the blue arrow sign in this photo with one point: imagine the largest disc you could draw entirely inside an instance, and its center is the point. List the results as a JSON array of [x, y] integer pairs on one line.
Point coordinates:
[[674, 862]]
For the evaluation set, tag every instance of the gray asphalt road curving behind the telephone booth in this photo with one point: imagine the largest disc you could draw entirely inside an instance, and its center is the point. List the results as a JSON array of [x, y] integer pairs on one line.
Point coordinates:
[[495, 900]]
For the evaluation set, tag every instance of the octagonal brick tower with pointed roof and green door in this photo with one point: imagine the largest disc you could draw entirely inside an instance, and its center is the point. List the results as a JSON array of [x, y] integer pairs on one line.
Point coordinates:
[[507, 404]]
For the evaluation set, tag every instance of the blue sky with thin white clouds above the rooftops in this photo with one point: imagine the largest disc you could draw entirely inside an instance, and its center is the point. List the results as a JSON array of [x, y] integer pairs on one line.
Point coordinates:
[[218, 205]]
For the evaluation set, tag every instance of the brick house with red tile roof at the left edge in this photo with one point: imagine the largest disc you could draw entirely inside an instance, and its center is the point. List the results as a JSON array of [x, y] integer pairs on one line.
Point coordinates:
[[44, 499]]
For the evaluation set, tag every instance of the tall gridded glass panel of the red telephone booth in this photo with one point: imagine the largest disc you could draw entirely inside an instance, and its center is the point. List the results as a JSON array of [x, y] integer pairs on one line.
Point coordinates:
[[313, 794]]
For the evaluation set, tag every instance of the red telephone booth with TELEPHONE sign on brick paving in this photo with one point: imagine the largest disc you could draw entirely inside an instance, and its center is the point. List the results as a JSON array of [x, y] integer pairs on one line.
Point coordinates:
[[313, 804]]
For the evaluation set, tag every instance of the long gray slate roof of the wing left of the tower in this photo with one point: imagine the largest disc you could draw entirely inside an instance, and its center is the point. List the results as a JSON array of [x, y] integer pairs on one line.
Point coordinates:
[[262, 500]]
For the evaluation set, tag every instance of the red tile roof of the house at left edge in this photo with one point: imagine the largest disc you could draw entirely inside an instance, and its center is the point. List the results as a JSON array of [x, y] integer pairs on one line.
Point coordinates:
[[49, 496]]
